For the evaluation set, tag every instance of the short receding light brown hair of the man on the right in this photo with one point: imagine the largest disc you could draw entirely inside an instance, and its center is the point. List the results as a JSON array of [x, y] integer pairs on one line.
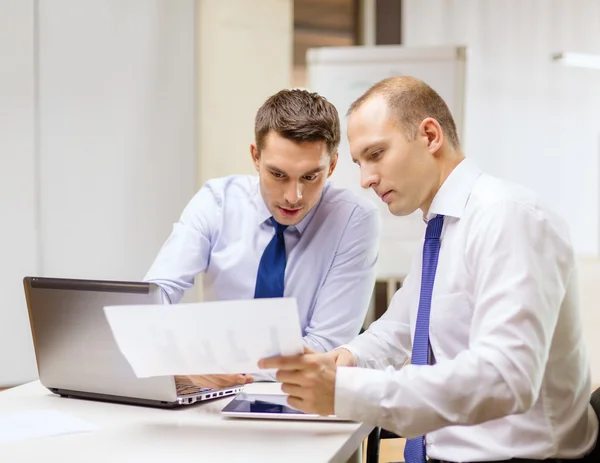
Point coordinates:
[[410, 101]]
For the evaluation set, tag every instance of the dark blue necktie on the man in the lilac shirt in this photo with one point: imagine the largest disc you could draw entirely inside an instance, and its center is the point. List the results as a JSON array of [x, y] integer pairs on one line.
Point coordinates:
[[271, 270]]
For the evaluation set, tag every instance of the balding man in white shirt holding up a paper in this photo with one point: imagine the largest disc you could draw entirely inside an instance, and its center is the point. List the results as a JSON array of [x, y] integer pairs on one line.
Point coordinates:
[[488, 315]]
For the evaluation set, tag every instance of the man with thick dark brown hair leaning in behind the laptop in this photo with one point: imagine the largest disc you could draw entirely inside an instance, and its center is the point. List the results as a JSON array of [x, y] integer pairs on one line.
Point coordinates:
[[286, 232]]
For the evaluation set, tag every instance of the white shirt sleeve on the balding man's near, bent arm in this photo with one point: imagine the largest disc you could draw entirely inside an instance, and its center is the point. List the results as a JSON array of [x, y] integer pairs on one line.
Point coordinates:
[[521, 267]]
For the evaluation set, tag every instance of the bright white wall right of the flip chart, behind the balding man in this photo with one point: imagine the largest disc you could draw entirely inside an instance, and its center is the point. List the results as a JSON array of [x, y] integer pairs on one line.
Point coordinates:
[[528, 119]]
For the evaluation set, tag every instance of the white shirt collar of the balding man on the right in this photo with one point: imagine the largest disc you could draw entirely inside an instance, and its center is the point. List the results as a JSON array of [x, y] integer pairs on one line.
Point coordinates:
[[452, 197]]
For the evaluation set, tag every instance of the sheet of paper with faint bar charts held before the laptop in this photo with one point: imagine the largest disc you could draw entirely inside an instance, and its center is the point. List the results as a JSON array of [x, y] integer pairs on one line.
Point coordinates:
[[205, 338]]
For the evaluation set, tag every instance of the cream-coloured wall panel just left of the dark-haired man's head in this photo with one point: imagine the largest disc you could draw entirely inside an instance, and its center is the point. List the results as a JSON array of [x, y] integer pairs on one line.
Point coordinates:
[[244, 56]]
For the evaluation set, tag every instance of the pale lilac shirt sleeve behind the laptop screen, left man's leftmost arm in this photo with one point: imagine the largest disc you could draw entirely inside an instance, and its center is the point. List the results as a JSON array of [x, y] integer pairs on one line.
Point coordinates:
[[186, 252]]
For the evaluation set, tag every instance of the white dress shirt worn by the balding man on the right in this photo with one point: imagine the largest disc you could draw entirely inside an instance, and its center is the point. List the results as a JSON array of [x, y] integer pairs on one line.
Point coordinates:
[[511, 377]]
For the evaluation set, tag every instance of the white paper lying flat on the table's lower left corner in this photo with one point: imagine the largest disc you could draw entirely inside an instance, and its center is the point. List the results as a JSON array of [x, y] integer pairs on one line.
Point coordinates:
[[32, 424]]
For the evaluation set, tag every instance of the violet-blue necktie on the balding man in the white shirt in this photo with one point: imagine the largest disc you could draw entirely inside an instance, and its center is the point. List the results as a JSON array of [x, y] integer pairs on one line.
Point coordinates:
[[414, 451]]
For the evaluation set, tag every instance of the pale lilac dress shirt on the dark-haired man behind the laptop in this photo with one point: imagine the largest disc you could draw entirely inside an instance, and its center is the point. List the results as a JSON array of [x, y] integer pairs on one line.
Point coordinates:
[[331, 255]]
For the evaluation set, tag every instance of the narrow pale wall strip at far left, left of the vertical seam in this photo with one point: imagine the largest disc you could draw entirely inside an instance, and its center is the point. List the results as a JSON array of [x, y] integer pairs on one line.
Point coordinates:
[[18, 190]]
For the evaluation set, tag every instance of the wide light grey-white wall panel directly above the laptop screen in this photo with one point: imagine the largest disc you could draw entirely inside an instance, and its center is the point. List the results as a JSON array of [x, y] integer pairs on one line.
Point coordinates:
[[117, 99]]
